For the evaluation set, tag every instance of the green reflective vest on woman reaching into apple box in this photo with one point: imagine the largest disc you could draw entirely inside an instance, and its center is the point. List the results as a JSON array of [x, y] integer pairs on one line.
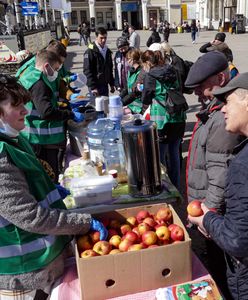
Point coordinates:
[[22, 251]]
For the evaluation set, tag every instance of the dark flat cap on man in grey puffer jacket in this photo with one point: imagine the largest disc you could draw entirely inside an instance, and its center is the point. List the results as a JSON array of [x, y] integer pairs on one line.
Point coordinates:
[[206, 66]]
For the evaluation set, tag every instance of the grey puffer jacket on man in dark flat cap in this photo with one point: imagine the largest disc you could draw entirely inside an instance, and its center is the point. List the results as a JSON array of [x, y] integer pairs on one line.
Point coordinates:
[[210, 149]]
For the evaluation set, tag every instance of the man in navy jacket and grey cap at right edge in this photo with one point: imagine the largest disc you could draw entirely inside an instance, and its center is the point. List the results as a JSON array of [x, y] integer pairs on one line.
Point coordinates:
[[230, 231]]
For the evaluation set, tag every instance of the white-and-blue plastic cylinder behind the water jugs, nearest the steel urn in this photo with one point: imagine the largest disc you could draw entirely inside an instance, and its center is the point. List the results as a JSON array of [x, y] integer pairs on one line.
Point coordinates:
[[115, 110]]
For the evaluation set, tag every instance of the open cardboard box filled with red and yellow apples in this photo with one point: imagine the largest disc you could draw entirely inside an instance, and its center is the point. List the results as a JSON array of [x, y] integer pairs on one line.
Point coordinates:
[[147, 248]]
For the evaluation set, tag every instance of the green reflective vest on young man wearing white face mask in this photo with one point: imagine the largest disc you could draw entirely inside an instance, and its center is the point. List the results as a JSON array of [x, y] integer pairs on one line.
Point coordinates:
[[38, 130]]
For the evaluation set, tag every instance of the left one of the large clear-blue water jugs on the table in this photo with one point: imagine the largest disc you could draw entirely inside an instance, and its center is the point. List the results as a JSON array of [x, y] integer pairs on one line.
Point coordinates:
[[95, 132]]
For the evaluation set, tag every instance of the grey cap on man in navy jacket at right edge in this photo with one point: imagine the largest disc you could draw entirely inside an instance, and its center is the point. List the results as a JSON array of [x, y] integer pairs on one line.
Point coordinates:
[[240, 81]]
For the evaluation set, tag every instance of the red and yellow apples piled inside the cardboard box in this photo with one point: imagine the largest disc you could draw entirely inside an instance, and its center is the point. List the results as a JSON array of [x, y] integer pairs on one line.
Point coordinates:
[[144, 230]]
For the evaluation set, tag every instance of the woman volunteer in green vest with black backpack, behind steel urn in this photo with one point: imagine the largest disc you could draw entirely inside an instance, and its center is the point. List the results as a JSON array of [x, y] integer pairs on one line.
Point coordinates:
[[158, 79]]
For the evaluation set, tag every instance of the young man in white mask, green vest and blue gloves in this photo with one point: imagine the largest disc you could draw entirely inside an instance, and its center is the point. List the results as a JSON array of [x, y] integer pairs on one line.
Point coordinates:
[[44, 124]]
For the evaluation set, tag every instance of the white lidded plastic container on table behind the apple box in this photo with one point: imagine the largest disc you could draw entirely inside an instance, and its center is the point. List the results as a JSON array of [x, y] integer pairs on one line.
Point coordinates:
[[92, 190]]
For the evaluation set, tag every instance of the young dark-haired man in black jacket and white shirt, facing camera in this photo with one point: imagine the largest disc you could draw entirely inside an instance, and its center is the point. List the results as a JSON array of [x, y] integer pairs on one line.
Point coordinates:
[[98, 65]]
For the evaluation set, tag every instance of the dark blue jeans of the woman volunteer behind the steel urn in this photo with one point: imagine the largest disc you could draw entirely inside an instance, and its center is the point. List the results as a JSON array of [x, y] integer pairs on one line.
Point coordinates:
[[170, 157]]
